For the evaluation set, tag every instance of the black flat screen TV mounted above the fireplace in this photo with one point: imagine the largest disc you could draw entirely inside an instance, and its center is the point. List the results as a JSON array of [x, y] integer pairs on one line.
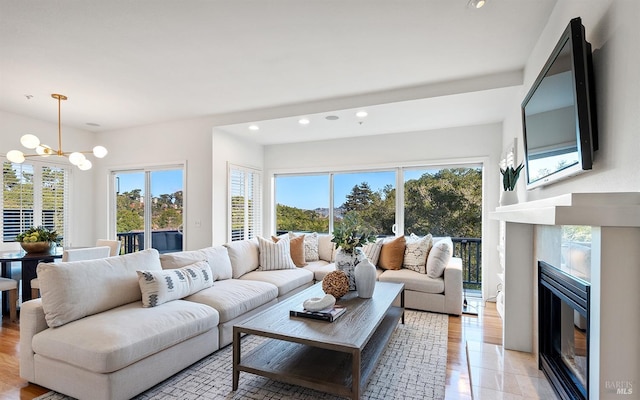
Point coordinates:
[[559, 112]]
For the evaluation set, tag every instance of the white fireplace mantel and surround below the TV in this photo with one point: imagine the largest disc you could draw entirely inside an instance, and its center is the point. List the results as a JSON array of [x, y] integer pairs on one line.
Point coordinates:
[[614, 324]]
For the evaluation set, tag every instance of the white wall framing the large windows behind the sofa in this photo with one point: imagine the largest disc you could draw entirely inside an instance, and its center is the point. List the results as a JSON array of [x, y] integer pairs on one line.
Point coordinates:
[[470, 144]]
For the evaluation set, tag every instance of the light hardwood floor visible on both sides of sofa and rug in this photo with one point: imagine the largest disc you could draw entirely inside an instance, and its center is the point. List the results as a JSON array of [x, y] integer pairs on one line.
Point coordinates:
[[486, 327]]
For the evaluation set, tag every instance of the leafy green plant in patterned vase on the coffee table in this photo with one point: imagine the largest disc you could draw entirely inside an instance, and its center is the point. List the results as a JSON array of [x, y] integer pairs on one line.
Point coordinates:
[[350, 235]]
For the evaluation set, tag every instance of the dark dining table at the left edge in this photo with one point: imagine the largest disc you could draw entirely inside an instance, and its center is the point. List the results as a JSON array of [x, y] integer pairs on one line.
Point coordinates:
[[29, 263]]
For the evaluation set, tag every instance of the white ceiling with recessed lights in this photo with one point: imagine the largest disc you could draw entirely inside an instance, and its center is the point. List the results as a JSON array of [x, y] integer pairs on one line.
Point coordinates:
[[126, 63]]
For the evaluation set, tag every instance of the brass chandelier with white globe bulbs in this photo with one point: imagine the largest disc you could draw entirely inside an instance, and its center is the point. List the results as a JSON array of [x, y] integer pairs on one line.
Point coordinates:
[[32, 142]]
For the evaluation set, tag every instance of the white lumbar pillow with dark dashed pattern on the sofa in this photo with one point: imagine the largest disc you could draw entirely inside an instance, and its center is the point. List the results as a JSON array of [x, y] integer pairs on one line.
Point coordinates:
[[159, 287]]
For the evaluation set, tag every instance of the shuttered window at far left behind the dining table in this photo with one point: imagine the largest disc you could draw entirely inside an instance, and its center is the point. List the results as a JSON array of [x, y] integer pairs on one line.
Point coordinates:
[[34, 194]]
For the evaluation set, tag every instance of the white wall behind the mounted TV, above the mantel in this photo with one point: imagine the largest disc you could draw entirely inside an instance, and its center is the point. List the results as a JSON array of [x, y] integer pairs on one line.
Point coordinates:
[[611, 27]]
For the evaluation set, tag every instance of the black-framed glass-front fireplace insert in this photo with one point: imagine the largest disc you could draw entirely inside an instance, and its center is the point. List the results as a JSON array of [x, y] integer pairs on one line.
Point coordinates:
[[563, 307]]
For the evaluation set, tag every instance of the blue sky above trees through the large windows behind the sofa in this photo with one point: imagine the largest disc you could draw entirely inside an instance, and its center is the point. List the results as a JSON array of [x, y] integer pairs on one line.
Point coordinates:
[[309, 192]]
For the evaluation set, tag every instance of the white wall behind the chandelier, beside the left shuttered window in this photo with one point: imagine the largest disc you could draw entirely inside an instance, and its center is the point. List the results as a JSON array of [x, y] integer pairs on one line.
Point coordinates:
[[81, 222]]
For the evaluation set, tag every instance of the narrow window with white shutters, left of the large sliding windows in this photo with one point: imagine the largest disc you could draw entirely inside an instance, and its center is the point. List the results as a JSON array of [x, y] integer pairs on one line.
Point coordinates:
[[245, 202]]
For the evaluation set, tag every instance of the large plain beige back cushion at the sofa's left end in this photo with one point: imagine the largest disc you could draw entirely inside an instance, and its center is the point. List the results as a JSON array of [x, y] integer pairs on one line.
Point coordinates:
[[76, 289]]
